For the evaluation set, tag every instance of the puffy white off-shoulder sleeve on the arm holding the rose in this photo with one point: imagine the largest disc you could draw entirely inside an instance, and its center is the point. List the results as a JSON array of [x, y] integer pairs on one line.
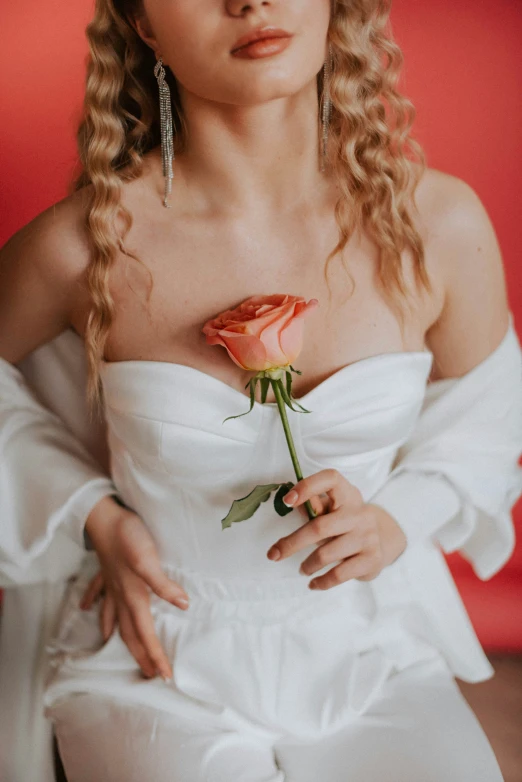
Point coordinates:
[[458, 476]]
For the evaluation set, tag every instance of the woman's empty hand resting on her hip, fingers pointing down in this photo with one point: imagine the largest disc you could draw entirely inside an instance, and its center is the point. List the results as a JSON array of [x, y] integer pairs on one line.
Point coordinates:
[[130, 568]]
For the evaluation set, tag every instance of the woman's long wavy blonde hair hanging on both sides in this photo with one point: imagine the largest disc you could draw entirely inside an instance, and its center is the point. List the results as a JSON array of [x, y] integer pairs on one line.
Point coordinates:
[[368, 148]]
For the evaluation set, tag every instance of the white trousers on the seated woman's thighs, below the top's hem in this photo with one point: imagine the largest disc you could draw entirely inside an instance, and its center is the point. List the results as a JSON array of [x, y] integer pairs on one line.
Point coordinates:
[[419, 729]]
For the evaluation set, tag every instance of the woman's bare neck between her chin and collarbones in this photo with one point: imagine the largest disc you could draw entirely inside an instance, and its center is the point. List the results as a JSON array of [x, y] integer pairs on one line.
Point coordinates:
[[250, 158]]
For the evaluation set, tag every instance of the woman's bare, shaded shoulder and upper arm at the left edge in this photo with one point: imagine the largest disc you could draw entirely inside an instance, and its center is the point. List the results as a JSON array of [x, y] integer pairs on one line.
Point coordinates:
[[42, 268]]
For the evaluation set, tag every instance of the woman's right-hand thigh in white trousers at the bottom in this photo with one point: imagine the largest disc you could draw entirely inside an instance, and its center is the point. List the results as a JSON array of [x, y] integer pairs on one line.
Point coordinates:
[[421, 729]]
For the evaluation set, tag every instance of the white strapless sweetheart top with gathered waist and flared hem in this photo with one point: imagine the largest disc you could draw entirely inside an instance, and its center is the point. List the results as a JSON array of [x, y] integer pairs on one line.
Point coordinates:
[[256, 645]]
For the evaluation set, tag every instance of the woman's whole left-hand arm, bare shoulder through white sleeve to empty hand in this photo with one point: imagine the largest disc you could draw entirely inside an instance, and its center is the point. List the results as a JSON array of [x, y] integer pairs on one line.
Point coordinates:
[[52, 488]]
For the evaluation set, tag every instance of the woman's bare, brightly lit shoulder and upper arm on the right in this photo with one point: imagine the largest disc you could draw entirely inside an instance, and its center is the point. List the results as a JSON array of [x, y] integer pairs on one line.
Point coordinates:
[[465, 259]]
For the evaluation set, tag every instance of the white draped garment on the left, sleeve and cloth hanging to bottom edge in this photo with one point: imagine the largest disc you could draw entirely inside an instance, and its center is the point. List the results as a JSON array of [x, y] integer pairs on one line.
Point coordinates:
[[53, 470]]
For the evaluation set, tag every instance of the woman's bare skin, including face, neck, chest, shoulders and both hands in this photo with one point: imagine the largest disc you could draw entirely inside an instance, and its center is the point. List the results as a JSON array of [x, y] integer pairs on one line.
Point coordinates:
[[251, 214]]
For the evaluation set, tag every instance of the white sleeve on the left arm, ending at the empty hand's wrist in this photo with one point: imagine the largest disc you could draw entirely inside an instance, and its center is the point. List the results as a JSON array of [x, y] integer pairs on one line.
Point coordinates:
[[49, 483]]
